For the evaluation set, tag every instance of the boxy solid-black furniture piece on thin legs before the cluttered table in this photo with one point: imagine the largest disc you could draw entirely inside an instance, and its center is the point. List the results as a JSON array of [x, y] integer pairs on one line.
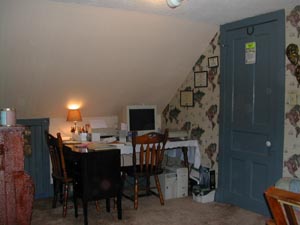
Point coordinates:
[[97, 176]]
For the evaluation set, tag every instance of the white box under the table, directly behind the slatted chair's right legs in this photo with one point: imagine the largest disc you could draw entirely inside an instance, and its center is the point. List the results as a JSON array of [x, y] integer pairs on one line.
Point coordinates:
[[168, 184]]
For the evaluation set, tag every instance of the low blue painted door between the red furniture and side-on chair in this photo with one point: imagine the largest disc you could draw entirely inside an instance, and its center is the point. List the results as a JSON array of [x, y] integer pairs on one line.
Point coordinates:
[[37, 164]]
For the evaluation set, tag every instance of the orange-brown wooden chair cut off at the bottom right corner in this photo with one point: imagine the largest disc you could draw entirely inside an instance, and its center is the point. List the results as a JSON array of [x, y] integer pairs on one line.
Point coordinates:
[[284, 206]]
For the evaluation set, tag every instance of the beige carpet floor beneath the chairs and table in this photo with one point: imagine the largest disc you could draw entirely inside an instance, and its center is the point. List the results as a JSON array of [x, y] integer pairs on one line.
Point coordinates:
[[181, 211]]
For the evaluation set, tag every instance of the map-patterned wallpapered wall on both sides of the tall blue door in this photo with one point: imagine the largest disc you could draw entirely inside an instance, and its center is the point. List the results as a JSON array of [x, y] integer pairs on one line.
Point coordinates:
[[202, 120]]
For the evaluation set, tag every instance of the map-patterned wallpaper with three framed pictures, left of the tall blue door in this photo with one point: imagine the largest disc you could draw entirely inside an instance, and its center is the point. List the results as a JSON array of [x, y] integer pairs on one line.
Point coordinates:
[[200, 120]]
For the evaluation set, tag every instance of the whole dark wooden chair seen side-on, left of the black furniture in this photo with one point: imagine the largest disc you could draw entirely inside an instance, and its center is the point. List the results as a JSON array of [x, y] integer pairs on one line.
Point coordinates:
[[61, 180]]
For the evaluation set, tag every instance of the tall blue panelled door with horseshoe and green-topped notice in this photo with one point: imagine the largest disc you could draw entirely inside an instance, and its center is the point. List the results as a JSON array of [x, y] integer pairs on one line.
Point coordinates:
[[252, 109]]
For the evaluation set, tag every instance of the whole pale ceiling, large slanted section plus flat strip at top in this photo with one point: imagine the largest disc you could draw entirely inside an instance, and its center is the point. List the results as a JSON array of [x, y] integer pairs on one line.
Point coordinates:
[[102, 55]]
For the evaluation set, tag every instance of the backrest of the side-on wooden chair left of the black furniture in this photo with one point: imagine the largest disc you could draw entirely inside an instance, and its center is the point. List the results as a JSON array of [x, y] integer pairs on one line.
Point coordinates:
[[56, 156]]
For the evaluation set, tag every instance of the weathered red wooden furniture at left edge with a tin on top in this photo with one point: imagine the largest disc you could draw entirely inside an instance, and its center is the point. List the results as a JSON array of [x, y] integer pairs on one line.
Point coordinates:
[[16, 186]]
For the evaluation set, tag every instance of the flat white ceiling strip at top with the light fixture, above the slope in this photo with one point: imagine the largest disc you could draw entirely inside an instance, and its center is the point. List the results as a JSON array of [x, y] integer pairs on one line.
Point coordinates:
[[212, 11]]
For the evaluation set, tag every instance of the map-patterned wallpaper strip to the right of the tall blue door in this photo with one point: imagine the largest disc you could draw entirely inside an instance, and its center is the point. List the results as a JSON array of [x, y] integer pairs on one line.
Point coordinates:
[[291, 155]]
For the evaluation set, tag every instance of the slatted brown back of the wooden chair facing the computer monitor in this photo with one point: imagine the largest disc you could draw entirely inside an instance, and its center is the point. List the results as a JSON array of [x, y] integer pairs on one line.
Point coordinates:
[[151, 152]]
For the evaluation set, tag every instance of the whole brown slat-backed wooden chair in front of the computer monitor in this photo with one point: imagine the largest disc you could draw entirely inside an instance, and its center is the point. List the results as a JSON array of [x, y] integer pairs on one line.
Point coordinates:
[[151, 152]]
